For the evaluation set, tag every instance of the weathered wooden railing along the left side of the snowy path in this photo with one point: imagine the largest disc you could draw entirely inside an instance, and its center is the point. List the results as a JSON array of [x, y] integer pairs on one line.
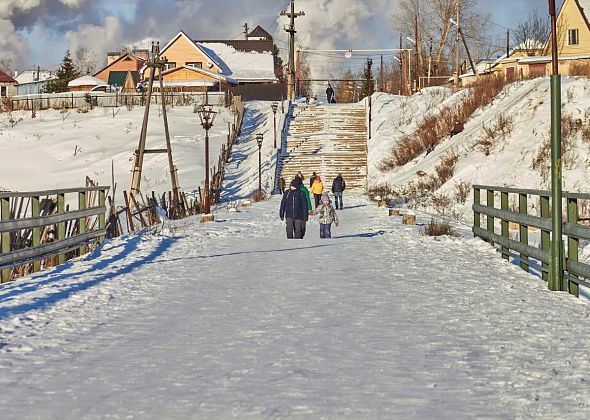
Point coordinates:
[[38, 229]]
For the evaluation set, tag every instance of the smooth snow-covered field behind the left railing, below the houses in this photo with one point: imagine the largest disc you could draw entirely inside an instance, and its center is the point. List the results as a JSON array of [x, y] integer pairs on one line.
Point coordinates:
[[58, 150]]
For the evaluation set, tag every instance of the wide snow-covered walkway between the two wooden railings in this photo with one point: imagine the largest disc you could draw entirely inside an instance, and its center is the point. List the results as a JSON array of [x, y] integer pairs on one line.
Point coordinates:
[[232, 320]]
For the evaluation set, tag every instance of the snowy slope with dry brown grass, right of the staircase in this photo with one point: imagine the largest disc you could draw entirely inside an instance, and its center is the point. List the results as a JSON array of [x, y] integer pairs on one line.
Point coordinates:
[[502, 144]]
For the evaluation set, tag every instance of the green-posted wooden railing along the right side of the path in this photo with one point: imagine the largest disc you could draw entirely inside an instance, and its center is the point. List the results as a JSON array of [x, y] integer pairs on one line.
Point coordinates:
[[493, 224]]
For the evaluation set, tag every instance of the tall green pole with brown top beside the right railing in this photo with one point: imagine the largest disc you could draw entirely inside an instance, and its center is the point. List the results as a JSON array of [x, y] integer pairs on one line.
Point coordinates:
[[556, 278]]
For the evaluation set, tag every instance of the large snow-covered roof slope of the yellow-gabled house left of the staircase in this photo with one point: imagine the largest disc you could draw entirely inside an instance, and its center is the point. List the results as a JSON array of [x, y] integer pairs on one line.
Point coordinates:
[[242, 66]]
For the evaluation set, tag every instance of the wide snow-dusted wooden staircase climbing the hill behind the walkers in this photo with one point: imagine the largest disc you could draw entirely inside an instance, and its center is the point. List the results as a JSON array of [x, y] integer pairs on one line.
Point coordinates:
[[328, 139]]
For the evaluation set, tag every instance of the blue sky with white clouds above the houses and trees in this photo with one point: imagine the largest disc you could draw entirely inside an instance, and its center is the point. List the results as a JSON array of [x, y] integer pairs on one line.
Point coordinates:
[[45, 33]]
